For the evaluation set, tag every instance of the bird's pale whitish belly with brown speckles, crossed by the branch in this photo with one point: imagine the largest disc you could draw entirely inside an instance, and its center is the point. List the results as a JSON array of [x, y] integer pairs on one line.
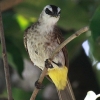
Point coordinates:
[[40, 49]]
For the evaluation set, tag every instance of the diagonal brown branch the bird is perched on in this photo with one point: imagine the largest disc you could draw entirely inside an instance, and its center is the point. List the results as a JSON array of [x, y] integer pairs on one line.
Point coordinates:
[[76, 34]]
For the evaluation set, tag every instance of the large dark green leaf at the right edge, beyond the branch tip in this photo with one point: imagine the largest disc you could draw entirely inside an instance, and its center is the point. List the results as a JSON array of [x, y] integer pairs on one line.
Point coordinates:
[[95, 32]]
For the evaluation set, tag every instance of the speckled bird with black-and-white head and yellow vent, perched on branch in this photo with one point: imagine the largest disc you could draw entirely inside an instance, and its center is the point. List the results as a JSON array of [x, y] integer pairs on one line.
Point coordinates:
[[40, 40]]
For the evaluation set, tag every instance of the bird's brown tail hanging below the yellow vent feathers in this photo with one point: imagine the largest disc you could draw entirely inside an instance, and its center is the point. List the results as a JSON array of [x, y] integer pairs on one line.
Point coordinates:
[[67, 93]]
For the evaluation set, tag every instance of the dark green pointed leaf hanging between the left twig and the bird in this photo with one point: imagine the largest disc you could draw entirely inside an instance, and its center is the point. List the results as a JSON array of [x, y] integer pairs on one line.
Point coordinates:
[[16, 56]]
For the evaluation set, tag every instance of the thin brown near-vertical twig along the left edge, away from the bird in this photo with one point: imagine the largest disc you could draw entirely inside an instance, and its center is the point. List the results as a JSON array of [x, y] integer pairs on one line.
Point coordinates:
[[4, 55]]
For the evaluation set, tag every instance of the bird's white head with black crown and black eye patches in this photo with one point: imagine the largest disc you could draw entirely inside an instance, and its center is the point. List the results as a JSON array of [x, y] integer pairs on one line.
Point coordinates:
[[50, 14]]
